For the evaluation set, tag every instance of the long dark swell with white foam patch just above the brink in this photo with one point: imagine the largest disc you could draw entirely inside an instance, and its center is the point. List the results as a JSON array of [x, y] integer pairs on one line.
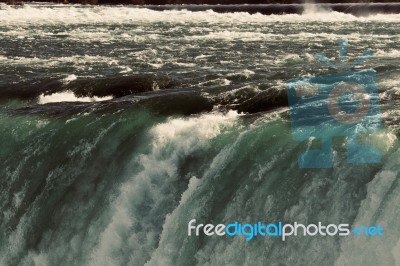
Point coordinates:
[[181, 101]]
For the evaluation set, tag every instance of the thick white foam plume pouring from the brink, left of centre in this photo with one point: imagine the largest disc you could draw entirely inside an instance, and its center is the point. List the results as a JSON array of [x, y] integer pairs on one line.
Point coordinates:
[[171, 142]]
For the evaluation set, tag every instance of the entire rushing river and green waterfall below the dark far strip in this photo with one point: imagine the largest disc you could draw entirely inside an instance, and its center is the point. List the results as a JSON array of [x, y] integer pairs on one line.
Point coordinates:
[[121, 124]]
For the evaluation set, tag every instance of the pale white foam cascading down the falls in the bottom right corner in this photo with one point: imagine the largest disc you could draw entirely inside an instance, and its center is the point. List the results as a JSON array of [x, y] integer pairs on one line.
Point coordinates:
[[380, 207]]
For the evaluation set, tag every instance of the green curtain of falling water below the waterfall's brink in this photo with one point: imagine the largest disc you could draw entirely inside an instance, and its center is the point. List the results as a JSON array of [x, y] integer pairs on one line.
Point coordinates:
[[158, 173]]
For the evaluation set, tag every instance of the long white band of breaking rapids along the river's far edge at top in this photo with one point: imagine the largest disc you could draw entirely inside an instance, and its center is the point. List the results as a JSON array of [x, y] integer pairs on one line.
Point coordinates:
[[174, 14]]
